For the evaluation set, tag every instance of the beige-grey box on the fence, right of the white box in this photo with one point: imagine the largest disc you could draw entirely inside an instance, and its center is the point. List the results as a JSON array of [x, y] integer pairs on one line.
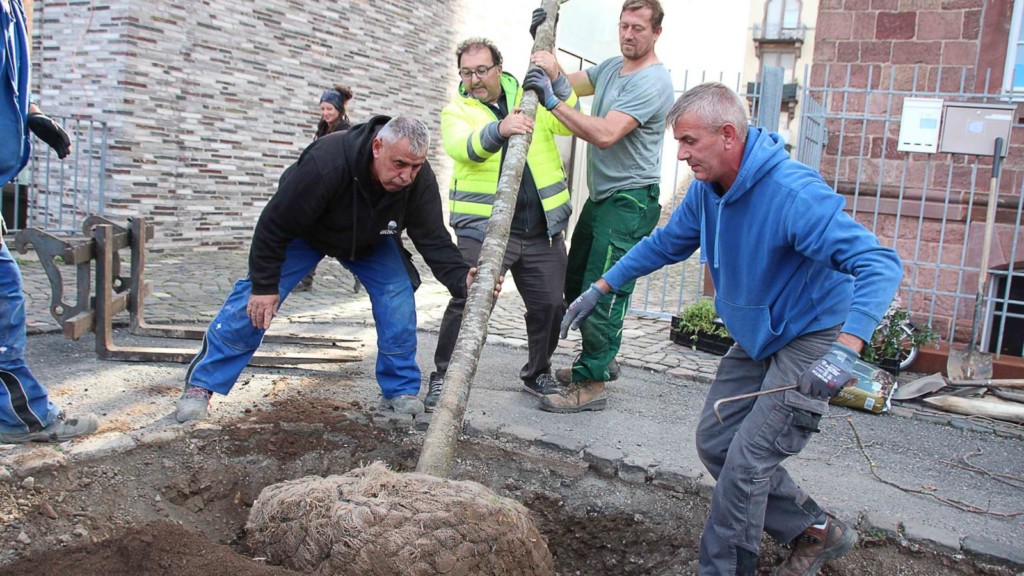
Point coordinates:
[[972, 129]]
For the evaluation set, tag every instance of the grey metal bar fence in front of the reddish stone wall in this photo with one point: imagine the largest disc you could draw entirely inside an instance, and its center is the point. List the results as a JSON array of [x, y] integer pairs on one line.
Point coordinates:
[[930, 208]]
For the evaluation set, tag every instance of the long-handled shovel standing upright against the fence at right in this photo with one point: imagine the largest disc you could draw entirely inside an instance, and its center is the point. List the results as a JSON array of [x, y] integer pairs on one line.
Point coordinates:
[[970, 364]]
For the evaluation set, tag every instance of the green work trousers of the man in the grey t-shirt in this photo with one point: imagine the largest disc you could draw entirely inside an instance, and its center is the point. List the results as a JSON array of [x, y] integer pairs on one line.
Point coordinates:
[[606, 231]]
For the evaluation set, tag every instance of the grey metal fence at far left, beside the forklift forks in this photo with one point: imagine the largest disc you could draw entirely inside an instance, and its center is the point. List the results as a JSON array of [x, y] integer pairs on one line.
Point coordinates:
[[57, 195]]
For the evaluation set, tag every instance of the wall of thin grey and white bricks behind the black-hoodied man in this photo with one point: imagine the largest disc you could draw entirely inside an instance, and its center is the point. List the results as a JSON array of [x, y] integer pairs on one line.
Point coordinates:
[[208, 102]]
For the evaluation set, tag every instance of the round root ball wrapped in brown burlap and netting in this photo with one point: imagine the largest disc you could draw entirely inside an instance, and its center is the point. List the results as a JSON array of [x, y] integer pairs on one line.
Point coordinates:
[[372, 521]]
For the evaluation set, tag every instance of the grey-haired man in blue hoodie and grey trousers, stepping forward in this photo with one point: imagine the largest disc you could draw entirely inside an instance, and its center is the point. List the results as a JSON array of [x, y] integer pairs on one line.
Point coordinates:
[[801, 287]]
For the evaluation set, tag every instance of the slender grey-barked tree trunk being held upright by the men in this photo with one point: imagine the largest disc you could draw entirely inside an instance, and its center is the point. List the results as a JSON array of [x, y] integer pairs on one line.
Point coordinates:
[[439, 447]]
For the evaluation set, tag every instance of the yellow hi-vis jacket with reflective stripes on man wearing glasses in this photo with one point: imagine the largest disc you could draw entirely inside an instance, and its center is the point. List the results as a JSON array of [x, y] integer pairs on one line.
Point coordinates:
[[479, 161]]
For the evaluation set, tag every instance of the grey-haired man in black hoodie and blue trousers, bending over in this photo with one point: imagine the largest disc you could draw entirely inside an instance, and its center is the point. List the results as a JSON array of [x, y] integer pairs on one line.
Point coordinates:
[[349, 197]]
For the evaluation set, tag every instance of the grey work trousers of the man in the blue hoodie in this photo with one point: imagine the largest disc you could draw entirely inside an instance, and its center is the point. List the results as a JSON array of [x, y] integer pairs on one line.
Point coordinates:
[[754, 492]]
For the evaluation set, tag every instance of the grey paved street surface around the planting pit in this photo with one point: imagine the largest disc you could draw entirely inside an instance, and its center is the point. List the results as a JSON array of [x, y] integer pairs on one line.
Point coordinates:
[[651, 419]]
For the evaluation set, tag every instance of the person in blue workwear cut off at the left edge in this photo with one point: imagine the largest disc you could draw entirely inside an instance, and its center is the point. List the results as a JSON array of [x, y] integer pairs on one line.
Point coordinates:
[[27, 415]]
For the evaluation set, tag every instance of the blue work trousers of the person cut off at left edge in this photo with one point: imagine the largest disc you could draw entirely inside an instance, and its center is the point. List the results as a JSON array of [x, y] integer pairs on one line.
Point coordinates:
[[25, 404]]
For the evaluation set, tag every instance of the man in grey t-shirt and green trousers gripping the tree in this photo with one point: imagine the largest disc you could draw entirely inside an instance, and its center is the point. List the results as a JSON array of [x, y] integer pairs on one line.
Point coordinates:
[[632, 96]]
